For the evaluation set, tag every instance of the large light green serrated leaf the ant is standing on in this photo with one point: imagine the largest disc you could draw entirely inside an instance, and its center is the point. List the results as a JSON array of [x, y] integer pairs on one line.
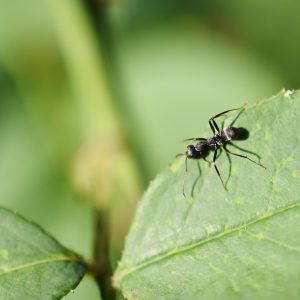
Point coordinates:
[[213, 244]]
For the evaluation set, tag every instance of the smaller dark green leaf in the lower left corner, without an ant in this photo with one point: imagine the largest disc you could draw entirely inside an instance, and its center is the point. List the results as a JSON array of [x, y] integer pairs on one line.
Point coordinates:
[[32, 264]]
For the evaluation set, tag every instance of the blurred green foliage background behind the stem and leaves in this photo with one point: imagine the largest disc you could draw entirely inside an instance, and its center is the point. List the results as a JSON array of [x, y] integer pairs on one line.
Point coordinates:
[[170, 65]]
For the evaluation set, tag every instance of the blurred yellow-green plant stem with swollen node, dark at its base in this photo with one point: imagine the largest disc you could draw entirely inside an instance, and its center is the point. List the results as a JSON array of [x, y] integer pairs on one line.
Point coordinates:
[[100, 121]]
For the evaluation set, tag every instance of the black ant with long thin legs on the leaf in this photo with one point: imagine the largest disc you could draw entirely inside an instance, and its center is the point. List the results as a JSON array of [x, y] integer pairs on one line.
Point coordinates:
[[218, 141]]
